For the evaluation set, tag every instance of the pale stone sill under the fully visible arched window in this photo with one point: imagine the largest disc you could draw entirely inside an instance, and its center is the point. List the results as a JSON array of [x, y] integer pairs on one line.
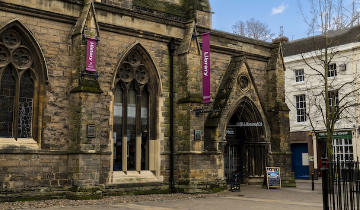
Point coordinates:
[[120, 177]]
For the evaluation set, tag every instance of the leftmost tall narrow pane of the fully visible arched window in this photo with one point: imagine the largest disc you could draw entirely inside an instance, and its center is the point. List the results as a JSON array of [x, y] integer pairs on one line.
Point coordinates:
[[118, 119]]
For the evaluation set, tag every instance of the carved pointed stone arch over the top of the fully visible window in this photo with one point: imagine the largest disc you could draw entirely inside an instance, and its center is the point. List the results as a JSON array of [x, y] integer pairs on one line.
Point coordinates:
[[148, 63]]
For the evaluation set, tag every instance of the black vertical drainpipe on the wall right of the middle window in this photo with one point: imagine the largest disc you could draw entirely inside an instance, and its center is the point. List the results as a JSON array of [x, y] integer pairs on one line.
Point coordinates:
[[171, 47]]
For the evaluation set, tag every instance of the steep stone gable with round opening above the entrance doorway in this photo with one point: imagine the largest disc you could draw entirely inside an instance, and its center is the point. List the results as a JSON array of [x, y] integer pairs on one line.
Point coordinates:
[[216, 122]]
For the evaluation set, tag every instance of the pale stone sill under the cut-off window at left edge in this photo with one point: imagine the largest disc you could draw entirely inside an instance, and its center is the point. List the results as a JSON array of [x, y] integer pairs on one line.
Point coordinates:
[[20, 143]]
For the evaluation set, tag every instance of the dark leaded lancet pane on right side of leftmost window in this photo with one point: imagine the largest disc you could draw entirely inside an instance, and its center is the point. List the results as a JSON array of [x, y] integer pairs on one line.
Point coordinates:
[[25, 105]]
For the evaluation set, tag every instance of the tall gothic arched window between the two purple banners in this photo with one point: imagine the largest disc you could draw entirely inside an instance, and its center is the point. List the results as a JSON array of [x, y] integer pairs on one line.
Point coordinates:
[[134, 108]]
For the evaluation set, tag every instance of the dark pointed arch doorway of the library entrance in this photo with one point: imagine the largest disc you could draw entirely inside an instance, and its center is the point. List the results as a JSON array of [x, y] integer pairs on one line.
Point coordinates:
[[246, 147]]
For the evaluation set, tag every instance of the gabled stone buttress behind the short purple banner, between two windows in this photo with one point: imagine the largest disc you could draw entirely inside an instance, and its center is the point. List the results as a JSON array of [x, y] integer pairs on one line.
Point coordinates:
[[86, 101]]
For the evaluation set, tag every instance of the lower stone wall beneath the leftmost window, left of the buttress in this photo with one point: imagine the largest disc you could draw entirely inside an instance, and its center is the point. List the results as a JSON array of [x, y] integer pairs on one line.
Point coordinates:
[[25, 171]]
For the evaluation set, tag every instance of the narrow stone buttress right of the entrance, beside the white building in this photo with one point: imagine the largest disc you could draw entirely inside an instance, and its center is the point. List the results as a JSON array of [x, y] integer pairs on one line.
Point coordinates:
[[278, 115]]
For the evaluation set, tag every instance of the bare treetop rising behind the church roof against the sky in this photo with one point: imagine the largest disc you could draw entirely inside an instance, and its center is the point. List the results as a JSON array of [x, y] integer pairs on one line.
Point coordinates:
[[253, 29]]
